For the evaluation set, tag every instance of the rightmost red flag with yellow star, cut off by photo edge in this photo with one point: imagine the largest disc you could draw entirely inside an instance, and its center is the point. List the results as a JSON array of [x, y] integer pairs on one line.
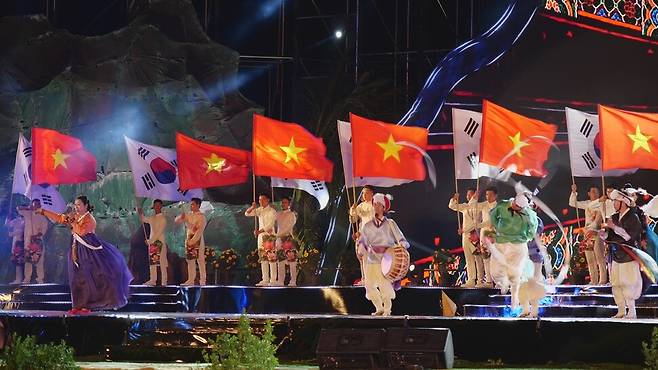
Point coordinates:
[[628, 139]]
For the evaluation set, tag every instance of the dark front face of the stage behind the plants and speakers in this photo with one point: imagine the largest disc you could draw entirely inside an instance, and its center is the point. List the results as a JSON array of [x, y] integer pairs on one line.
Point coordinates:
[[512, 341]]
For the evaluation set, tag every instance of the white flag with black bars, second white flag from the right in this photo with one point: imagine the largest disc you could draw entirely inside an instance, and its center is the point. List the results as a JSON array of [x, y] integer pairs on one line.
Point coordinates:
[[467, 131]]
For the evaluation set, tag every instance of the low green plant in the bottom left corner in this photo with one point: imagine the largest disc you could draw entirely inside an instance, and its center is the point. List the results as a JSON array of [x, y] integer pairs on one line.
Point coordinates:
[[25, 353]]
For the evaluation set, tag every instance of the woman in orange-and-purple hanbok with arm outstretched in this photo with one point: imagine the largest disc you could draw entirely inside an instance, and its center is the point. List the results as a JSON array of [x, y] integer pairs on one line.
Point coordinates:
[[98, 275]]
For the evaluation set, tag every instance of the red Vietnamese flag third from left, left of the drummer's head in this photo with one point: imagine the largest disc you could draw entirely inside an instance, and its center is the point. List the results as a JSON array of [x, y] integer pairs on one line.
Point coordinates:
[[289, 151]]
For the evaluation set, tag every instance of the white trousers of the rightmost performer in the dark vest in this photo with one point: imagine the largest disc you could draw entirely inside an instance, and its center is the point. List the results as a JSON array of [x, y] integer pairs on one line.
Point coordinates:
[[626, 280]]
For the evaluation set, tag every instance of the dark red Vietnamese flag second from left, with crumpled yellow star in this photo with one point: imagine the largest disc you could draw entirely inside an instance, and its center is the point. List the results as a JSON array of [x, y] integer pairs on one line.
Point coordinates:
[[203, 165]]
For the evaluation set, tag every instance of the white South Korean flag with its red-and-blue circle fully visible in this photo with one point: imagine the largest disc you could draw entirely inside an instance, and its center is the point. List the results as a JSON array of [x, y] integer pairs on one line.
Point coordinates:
[[155, 172]]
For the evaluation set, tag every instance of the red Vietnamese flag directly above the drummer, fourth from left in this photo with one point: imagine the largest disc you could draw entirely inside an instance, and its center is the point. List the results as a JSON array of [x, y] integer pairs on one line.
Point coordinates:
[[382, 149]]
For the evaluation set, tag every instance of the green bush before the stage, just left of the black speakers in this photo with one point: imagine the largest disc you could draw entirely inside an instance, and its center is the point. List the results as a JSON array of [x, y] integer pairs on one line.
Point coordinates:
[[244, 350]]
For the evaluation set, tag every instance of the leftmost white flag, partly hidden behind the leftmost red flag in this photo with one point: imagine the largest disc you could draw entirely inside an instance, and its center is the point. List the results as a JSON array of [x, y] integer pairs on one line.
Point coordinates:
[[48, 195]]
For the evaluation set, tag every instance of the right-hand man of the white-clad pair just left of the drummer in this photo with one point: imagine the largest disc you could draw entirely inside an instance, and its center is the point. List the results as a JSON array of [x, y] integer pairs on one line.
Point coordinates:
[[285, 223]]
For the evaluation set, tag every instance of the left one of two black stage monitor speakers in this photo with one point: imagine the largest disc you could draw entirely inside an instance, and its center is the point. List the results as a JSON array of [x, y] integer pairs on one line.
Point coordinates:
[[350, 348]]
